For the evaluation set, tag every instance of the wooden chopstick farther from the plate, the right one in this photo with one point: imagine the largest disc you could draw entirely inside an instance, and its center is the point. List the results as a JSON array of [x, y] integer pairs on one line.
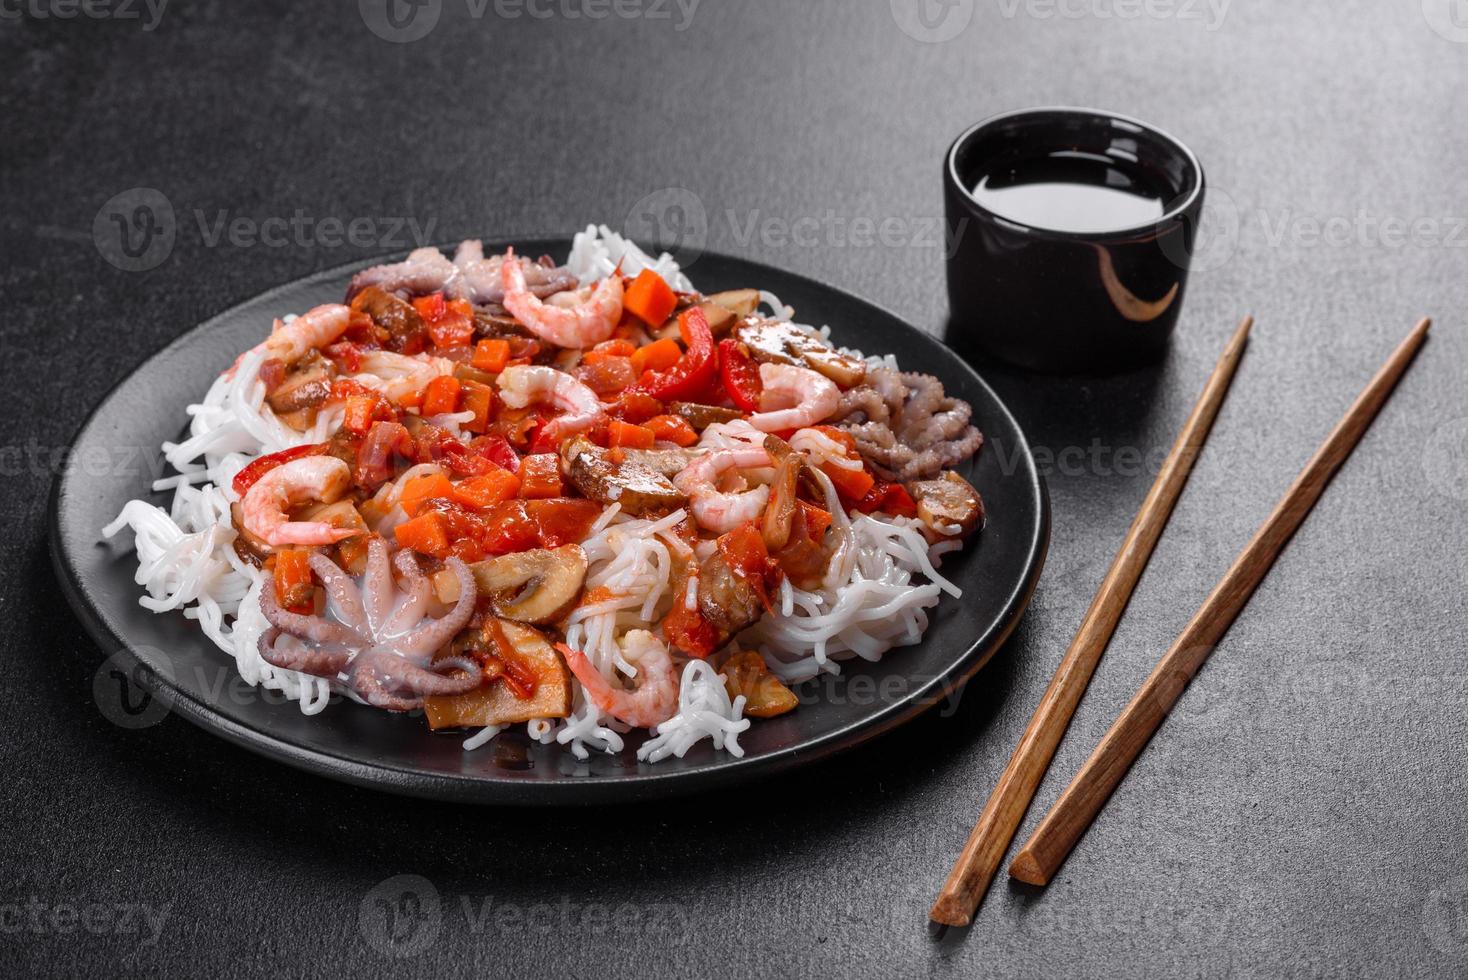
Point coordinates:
[[1078, 806]]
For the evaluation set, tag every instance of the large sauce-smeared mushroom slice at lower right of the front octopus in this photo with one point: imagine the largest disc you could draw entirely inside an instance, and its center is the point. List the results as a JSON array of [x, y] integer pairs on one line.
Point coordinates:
[[512, 657]]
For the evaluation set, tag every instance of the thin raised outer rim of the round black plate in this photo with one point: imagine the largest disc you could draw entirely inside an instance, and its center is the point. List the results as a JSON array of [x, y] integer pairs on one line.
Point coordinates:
[[490, 790]]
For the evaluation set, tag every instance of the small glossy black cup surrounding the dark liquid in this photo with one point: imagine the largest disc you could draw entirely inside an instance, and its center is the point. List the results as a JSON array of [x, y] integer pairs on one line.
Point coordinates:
[[1067, 301]]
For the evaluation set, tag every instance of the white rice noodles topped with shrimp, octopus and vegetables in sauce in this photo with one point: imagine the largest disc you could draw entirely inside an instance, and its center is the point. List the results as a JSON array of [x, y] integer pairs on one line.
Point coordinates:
[[585, 500]]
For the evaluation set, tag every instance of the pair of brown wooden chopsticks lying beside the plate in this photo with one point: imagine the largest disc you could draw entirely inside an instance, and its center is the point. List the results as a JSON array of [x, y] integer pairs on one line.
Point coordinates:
[[1083, 800]]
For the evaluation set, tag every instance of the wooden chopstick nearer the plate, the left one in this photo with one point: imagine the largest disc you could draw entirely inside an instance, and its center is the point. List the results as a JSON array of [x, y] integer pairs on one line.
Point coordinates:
[[1002, 815]]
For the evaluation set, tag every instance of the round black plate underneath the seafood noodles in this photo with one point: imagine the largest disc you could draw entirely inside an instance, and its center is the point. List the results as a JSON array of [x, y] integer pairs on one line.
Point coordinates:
[[397, 753]]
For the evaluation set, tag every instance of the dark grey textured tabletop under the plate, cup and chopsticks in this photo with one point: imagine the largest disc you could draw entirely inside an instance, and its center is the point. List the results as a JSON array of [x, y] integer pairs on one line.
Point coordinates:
[[1301, 815]]
